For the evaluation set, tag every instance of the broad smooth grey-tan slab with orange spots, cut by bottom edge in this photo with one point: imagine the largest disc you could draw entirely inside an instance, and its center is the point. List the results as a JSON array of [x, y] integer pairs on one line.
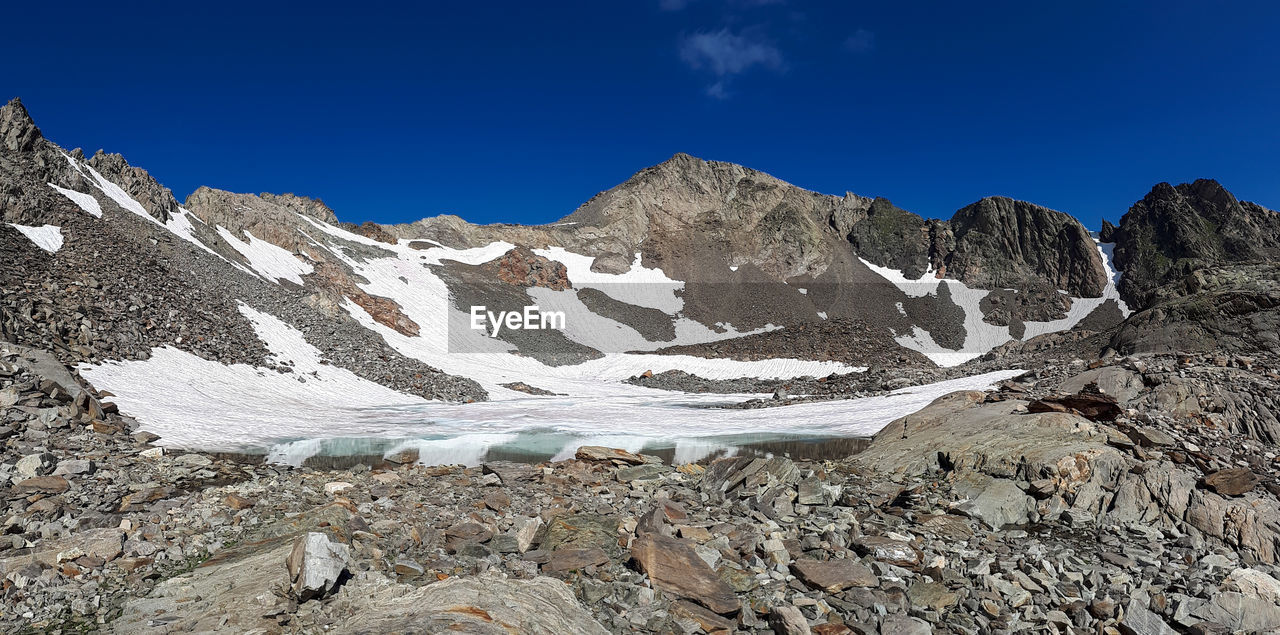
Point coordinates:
[[482, 606]]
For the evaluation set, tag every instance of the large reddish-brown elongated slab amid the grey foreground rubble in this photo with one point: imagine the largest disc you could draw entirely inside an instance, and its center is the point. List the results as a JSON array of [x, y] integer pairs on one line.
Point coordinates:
[[675, 568]]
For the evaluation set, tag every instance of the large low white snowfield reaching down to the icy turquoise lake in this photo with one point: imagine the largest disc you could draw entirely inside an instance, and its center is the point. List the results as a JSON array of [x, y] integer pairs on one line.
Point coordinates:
[[321, 409]]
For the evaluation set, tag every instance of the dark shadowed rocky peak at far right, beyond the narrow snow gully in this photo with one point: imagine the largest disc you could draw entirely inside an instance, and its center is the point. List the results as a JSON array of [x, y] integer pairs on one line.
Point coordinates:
[[1174, 231]]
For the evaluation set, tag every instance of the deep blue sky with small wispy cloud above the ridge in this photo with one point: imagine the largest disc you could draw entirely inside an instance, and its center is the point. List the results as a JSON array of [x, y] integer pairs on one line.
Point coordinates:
[[519, 112]]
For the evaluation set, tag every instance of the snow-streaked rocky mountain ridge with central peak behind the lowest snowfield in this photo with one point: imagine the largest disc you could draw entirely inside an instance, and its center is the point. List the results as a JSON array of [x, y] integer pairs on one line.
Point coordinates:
[[723, 252]]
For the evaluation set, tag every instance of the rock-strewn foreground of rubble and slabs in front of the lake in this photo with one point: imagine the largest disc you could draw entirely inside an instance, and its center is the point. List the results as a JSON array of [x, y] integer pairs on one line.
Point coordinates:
[[986, 513]]
